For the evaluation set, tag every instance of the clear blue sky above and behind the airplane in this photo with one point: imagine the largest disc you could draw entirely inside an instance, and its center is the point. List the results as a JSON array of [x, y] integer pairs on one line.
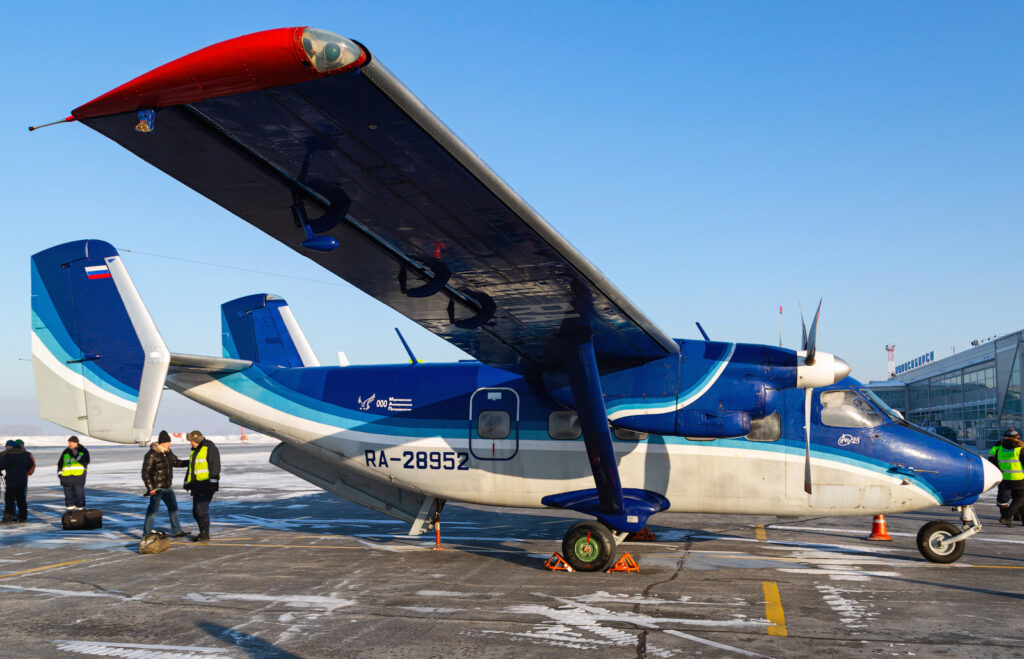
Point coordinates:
[[715, 161]]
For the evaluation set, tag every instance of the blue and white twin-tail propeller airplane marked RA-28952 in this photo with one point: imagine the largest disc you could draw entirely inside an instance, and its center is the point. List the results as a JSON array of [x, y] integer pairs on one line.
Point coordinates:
[[575, 400]]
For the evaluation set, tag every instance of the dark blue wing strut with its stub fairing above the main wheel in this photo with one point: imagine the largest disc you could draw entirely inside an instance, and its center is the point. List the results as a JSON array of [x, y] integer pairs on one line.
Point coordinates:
[[623, 510]]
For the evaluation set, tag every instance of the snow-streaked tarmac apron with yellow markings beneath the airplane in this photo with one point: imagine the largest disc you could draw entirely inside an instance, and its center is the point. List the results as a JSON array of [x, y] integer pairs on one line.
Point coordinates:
[[295, 573]]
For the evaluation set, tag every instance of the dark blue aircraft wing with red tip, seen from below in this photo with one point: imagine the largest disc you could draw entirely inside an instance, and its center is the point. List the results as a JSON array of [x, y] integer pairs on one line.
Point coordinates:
[[309, 151]]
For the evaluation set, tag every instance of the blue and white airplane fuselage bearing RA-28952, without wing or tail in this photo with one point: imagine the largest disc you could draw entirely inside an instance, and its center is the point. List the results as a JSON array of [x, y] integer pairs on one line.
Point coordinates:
[[417, 427]]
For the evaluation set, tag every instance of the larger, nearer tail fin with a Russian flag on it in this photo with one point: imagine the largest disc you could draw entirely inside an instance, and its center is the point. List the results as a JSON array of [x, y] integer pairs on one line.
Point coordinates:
[[100, 362]]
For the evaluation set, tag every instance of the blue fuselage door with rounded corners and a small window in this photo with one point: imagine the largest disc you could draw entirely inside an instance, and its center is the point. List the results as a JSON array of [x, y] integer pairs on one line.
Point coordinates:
[[494, 424]]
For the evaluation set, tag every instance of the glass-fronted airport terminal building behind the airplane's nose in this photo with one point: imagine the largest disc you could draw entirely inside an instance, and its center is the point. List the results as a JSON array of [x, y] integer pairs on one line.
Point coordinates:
[[972, 397]]
